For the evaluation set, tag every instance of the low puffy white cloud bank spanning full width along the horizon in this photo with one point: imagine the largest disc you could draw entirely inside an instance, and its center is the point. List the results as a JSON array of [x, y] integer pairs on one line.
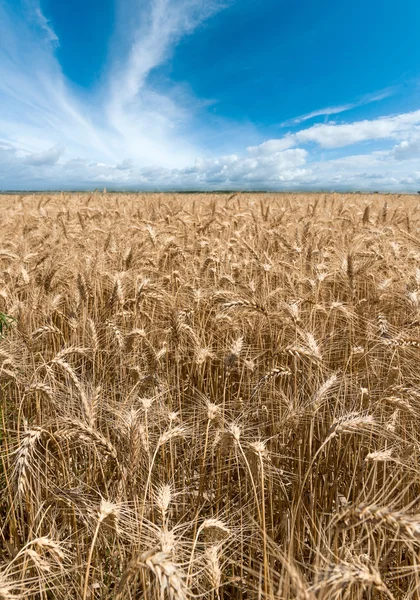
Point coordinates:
[[289, 169]]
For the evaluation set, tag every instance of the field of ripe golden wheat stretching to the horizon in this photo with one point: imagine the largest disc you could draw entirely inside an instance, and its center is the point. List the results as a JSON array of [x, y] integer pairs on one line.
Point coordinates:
[[210, 396]]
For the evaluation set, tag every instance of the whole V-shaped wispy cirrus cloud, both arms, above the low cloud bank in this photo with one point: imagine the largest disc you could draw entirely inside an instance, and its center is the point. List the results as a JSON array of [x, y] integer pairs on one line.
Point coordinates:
[[124, 119]]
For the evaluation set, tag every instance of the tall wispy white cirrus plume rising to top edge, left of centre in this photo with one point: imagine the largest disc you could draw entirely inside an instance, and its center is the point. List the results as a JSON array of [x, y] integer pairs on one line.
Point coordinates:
[[153, 125]]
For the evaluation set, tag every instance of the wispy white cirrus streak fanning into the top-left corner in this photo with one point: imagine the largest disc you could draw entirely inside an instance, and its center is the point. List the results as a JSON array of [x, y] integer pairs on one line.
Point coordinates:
[[39, 108]]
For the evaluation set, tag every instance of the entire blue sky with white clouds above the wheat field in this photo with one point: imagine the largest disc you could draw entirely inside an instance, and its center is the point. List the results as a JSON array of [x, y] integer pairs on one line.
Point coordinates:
[[210, 95]]
